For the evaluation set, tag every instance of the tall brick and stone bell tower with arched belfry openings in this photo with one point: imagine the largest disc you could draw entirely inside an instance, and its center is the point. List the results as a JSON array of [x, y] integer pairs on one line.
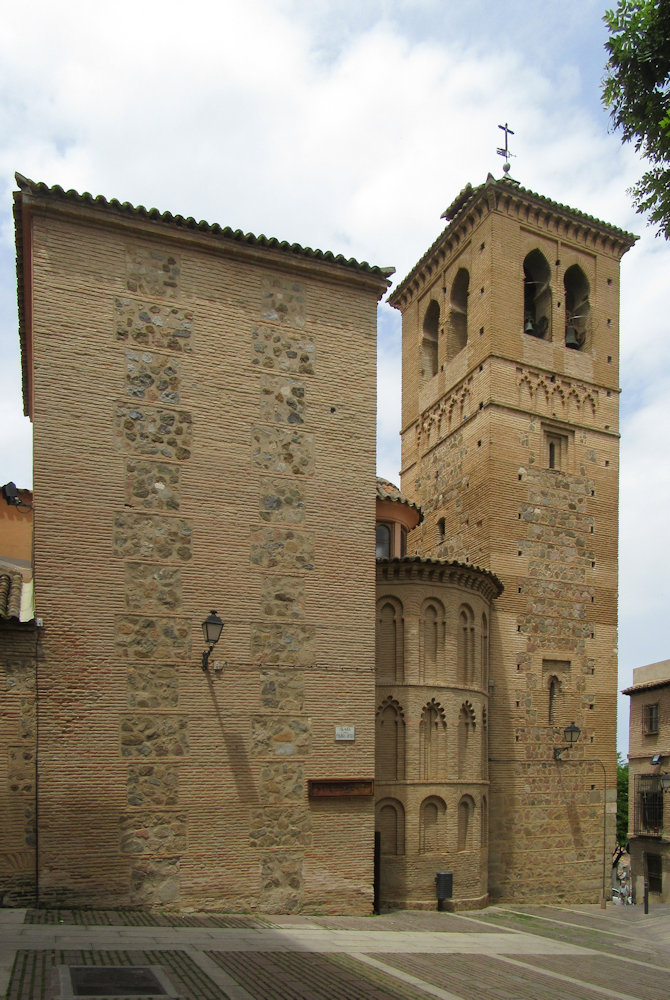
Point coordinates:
[[510, 444]]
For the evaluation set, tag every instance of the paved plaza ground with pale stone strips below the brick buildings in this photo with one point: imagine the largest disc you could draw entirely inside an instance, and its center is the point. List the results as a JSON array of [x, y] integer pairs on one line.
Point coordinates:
[[502, 953]]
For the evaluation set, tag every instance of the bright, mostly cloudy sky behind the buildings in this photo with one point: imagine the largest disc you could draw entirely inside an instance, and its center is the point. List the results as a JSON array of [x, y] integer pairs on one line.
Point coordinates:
[[347, 126]]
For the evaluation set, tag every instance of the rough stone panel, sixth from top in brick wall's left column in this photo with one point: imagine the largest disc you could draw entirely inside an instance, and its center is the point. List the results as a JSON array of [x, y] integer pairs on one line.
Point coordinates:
[[152, 536]]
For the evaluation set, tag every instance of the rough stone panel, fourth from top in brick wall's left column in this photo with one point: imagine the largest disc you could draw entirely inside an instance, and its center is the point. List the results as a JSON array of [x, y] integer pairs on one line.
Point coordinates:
[[151, 431]]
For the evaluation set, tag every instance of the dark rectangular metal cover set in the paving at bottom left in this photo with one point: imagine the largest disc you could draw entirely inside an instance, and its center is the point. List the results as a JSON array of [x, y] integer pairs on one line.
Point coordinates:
[[114, 981]]
